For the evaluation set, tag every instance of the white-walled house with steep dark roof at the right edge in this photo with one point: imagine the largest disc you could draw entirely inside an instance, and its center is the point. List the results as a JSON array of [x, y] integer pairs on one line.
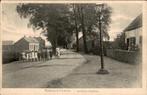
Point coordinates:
[[133, 33]]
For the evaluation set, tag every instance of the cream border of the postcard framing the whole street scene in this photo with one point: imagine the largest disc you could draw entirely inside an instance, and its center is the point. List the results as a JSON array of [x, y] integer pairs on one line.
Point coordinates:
[[87, 91]]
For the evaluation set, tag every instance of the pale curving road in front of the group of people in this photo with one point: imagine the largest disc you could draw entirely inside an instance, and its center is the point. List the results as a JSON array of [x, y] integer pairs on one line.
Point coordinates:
[[38, 74]]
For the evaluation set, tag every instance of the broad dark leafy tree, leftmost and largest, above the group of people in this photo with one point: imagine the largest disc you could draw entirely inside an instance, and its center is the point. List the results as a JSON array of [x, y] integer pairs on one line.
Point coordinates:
[[53, 19]]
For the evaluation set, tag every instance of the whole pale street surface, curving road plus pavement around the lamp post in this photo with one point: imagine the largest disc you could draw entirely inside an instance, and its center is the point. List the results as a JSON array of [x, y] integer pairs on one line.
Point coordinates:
[[71, 70]]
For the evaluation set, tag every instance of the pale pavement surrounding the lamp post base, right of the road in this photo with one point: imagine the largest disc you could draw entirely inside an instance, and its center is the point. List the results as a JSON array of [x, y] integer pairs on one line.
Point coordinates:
[[121, 75]]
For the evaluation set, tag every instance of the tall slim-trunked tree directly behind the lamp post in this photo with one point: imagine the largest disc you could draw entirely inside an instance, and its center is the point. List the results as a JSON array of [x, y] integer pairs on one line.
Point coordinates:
[[89, 18]]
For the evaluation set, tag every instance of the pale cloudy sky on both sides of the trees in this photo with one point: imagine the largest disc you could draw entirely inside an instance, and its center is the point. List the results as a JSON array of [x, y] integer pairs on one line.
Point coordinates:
[[14, 27]]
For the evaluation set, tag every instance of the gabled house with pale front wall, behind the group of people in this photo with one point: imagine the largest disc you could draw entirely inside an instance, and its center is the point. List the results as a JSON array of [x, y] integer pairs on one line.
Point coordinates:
[[26, 44]]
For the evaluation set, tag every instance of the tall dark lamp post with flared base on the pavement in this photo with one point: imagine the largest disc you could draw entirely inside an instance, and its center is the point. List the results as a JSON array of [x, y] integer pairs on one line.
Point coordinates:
[[101, 70]]
